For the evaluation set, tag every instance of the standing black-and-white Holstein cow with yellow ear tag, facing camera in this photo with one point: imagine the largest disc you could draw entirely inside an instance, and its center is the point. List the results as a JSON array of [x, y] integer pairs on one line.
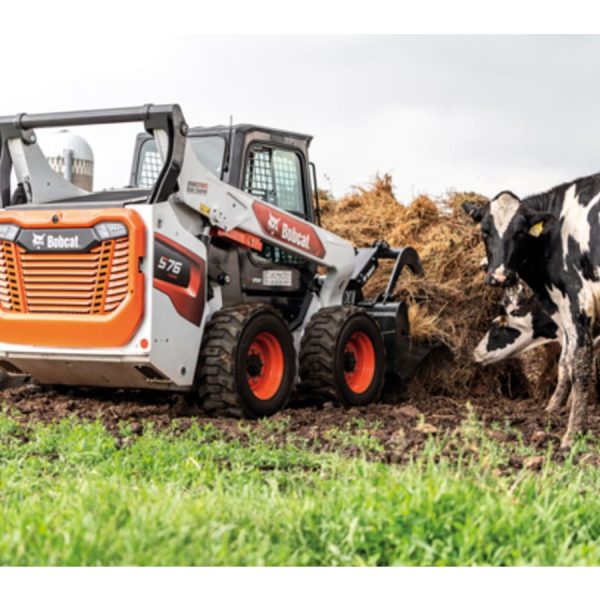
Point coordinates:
[[551, 241]]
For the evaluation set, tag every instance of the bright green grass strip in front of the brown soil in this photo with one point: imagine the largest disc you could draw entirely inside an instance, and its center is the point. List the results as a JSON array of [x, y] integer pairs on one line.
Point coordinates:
[[69, 495]]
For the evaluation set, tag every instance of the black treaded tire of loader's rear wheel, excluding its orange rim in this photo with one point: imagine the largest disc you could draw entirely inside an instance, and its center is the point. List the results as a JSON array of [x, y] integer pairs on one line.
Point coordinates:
[[223, 388]]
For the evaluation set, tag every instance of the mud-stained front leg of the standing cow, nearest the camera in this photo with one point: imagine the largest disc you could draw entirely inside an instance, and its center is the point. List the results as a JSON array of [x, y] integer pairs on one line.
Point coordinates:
[[580, 357]]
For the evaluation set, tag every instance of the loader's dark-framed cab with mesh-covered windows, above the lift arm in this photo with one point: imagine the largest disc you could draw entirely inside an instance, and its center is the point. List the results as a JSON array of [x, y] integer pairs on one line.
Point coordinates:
[[268, 163]]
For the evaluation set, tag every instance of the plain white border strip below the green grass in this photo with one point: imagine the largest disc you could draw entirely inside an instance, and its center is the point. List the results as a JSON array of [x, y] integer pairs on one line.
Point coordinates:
[[295, 583]]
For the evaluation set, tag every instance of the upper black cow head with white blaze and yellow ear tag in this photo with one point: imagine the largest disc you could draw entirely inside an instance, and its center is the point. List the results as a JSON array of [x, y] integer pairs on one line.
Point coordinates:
[[509, 229]]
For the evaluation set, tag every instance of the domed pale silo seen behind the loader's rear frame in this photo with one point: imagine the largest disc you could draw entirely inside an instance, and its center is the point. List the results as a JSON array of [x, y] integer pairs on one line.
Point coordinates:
[[71, 156]]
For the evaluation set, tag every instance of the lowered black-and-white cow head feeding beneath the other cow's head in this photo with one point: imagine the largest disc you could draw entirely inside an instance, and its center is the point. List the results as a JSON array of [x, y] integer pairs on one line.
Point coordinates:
[[523, 325]]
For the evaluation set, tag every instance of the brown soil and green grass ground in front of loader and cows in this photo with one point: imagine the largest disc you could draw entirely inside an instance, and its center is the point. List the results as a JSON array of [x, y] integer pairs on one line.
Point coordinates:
[[141, 483]]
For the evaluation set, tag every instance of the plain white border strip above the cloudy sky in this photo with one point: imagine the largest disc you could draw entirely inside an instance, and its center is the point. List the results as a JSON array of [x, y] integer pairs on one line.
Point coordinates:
[[27, 20]]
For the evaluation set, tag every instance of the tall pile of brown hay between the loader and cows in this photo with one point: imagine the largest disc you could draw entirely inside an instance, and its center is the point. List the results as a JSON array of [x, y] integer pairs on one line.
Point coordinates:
[[451, 304]]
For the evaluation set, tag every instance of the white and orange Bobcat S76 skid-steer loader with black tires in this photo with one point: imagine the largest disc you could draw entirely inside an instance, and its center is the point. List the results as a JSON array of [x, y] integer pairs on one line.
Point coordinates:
[[206, 273]]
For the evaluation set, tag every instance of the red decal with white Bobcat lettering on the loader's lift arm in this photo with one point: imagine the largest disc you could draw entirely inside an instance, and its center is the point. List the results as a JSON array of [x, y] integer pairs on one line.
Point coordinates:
[[290, 230]]
